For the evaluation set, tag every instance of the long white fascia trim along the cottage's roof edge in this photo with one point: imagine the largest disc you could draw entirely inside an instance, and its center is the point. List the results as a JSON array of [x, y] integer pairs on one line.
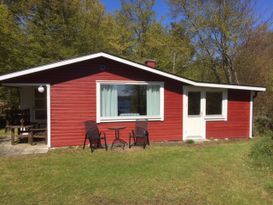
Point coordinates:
[[131, 63]]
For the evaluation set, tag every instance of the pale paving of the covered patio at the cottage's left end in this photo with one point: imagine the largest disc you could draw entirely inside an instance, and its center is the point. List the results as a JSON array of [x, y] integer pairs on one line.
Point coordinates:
[[6, 149]]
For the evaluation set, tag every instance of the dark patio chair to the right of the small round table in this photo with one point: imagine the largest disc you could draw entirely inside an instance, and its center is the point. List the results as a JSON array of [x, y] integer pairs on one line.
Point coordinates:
[[140, 135]]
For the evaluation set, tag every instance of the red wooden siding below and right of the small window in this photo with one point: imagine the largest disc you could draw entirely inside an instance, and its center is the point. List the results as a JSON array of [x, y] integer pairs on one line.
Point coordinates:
[[237, 125]]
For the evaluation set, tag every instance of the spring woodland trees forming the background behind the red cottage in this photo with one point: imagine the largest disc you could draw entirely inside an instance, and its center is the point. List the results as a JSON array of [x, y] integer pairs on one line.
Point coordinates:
[[221, 41]]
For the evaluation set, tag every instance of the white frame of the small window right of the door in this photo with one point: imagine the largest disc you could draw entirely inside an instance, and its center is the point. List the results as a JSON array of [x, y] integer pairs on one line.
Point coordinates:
[[223, 116]]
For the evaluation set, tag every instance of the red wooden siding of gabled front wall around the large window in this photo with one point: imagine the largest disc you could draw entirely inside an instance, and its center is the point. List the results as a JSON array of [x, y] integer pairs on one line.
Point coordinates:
[[73, 101]]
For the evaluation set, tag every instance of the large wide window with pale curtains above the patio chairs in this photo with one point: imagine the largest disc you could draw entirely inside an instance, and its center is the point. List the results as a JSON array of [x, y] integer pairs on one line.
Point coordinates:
[[130, 101]]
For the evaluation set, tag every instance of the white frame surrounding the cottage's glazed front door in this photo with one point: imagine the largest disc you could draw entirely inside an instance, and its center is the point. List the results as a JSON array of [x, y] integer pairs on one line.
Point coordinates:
[[186, 89]]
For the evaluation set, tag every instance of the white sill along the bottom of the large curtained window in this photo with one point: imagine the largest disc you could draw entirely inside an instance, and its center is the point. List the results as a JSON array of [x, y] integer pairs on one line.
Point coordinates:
[[129, 119]]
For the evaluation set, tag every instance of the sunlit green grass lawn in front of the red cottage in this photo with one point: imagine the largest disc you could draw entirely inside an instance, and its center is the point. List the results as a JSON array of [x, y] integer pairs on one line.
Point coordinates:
[[188, 174]]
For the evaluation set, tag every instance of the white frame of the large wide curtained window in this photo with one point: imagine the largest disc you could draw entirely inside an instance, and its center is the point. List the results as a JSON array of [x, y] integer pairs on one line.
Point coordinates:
[[128, 118]]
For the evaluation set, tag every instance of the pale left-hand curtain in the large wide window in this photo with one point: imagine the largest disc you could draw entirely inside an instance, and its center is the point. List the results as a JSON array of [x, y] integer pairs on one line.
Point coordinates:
[[109, 101]]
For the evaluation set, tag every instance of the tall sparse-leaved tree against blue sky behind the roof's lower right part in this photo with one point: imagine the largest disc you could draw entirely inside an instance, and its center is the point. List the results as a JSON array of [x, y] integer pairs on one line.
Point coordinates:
[[217, 28]]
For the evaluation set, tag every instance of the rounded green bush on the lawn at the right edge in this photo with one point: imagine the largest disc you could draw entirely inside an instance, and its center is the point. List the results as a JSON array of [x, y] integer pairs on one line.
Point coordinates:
[[262, 151]]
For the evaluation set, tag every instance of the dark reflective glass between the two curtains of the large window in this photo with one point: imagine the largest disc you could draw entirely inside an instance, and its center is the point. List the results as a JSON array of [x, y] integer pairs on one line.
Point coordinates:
[[132, 100]]
